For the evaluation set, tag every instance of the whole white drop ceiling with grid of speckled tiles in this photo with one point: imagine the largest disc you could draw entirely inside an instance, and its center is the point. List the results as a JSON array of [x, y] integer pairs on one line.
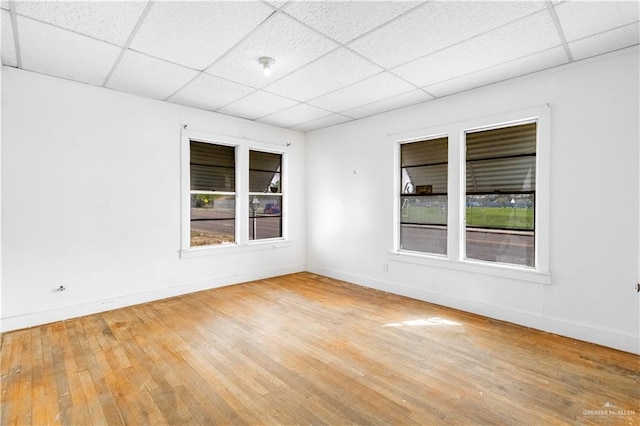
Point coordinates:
[[336, 61]]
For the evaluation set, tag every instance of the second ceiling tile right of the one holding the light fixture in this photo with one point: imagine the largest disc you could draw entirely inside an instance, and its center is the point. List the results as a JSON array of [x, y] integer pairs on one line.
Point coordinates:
[[372, 89]]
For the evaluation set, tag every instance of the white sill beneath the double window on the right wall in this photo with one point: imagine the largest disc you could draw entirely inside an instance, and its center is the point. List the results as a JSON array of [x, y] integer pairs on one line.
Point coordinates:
[[484, 268]]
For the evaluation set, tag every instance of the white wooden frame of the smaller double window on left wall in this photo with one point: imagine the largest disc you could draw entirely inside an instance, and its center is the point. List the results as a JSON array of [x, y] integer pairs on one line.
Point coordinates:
[[242, 148]]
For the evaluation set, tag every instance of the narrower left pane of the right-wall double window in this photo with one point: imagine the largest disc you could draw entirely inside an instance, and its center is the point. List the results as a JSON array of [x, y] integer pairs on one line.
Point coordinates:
[[423, 196]]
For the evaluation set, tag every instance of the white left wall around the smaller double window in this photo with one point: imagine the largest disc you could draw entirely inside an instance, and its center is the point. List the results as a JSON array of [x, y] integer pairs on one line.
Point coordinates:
[[91, 201]]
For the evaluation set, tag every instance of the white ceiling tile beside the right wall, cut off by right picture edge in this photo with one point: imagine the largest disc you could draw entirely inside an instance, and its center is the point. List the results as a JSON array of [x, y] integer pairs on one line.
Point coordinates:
[[619, 38]]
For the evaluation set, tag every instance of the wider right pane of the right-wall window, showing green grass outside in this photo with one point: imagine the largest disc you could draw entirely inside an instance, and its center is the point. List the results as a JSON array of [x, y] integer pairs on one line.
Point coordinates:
[[501, 194]]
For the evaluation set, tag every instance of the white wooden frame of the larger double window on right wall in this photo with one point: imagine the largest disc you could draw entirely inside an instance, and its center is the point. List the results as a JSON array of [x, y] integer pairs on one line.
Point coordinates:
[[455, 258]]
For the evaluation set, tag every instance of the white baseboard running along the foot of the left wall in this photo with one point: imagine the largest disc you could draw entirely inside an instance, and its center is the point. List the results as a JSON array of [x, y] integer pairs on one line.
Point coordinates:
[[64, 313]]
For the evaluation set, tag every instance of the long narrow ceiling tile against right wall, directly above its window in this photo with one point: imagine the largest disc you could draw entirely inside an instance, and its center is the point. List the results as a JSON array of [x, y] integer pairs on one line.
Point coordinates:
[[536, 62]]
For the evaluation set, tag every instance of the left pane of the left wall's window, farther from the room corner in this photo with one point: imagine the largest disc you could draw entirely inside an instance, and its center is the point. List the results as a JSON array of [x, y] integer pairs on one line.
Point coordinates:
[[213, 194]]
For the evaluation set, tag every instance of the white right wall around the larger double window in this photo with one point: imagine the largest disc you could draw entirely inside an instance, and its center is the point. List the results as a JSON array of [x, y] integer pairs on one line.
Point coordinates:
[[594, 250]]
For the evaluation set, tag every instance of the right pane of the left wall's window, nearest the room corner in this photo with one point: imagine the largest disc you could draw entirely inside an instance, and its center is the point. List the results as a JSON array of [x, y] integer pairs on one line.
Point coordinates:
[[265, 195]]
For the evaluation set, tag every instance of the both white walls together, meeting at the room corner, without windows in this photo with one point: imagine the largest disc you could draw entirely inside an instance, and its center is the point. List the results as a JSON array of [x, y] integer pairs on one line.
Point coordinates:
[[91, 200]]
